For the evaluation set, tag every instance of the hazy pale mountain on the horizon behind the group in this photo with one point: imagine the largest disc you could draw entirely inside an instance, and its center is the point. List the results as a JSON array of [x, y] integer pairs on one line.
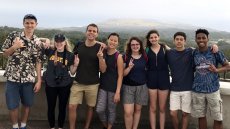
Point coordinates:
[[141, 26]]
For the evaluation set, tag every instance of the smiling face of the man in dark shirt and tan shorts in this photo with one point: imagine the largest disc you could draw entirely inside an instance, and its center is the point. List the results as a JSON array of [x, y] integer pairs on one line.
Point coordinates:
[[91, 33]]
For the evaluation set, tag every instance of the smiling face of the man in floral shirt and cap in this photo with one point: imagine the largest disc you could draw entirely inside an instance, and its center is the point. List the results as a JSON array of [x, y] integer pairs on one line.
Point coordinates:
[[29, 25]]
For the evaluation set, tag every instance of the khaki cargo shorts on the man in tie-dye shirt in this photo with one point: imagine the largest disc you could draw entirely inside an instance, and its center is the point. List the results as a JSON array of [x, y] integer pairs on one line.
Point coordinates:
[[211, 101]]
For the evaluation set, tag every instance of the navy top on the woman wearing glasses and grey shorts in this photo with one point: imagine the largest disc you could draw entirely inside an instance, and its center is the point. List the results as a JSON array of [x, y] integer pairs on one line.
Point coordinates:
[[137, 75]]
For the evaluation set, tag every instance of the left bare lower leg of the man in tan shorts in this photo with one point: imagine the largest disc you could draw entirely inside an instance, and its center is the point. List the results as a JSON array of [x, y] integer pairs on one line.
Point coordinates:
[[72, 115]]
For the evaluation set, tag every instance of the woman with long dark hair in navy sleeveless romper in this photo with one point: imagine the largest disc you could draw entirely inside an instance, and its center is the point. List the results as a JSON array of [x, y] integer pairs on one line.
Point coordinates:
[[157, 77]]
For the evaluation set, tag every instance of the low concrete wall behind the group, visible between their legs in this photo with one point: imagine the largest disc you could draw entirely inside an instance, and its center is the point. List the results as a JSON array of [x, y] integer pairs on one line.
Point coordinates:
[[39, 109]]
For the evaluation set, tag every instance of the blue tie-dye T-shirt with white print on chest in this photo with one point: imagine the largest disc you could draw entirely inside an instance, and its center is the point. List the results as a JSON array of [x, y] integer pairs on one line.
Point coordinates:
[[206, 81]]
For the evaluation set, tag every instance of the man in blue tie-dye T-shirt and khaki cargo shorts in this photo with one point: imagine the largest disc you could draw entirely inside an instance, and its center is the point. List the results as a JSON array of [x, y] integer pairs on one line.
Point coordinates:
[[206, 85]]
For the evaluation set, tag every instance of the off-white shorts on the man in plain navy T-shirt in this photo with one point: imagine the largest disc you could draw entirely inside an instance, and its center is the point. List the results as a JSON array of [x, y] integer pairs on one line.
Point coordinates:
[[180, 100]]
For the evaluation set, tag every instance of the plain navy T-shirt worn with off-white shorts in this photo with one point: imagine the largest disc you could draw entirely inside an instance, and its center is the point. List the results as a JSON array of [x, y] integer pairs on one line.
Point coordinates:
[[180, 64]]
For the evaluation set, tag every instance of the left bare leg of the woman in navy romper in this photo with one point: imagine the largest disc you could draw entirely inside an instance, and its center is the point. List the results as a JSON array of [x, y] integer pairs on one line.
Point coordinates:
[[152, 108]]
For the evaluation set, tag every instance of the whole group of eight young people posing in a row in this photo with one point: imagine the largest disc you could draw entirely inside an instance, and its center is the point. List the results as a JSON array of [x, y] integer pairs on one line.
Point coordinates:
[[140, 76]]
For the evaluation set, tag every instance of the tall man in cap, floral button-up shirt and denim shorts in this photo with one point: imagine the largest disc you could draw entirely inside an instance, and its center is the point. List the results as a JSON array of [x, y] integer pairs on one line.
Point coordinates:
[[23, 50]]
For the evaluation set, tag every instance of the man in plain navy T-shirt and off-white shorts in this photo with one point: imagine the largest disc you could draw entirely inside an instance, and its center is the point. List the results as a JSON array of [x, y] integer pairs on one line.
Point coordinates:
[[180, 63]]
